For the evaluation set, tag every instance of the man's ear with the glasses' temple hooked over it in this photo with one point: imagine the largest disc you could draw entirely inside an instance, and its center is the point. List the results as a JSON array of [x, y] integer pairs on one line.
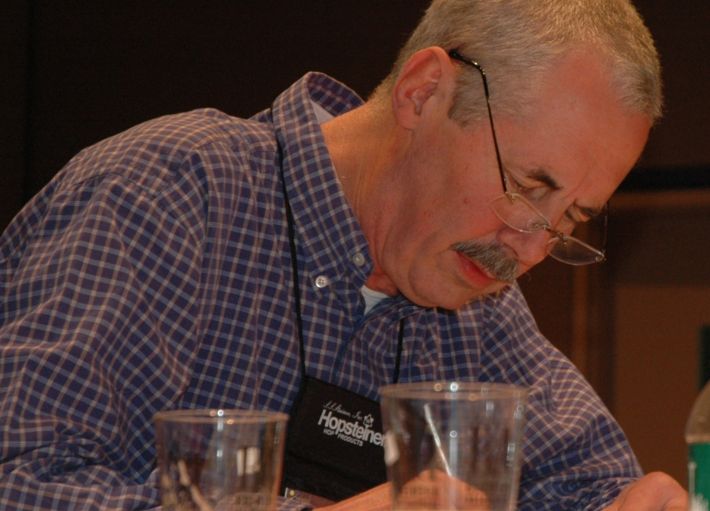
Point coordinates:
[[425, 82]]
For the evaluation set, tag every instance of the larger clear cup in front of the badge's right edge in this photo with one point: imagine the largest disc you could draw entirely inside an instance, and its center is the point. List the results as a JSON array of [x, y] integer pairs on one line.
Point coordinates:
[[453, 445]]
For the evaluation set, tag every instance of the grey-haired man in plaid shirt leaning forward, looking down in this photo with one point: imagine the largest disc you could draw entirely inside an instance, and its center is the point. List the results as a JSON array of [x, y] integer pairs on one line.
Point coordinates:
[[202, 261]]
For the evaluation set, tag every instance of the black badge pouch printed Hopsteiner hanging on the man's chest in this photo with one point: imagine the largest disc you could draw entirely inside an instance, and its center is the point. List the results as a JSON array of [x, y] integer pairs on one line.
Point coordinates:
[[334, 446]]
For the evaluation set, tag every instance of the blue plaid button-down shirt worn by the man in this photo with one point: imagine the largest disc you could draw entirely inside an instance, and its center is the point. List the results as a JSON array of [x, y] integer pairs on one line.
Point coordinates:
[[153, 272]]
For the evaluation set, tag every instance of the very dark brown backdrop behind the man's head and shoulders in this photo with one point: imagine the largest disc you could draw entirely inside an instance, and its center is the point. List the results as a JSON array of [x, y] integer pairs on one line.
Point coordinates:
[[76, 71]]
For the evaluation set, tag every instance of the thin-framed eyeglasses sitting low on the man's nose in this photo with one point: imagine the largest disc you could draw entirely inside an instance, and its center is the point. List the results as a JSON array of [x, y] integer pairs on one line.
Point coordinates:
[[518, 213]]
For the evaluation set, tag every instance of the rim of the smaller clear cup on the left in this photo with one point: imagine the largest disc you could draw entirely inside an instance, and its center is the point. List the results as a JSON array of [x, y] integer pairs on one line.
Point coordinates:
[[219, 415]]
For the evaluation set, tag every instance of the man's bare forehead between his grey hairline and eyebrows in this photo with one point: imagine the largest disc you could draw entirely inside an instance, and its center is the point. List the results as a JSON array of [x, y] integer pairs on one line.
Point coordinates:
[[575, 133]]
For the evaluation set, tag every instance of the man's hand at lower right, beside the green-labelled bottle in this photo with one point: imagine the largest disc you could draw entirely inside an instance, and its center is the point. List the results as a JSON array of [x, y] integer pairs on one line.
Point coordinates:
[[654, 492]]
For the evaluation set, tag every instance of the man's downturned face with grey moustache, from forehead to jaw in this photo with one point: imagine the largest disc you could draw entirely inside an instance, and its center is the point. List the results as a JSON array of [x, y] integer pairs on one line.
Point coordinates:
[[447, 247]]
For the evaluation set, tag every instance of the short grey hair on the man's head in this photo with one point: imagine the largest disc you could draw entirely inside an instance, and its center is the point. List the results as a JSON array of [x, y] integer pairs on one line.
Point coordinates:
[[516, 41]]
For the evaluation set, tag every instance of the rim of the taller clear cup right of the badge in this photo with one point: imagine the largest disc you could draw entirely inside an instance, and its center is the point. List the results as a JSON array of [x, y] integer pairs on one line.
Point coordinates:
[[454, 390]]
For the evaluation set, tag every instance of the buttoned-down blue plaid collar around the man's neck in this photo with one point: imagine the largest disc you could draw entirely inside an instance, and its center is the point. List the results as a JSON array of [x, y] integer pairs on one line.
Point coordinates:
[[326, 227]]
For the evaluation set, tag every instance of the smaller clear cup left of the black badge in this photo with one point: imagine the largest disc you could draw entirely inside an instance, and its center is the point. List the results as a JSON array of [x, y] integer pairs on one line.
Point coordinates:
[[218, 460]]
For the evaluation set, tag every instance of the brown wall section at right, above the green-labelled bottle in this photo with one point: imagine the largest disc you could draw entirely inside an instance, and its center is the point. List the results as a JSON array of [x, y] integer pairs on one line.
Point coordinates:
[[661, 301]]
